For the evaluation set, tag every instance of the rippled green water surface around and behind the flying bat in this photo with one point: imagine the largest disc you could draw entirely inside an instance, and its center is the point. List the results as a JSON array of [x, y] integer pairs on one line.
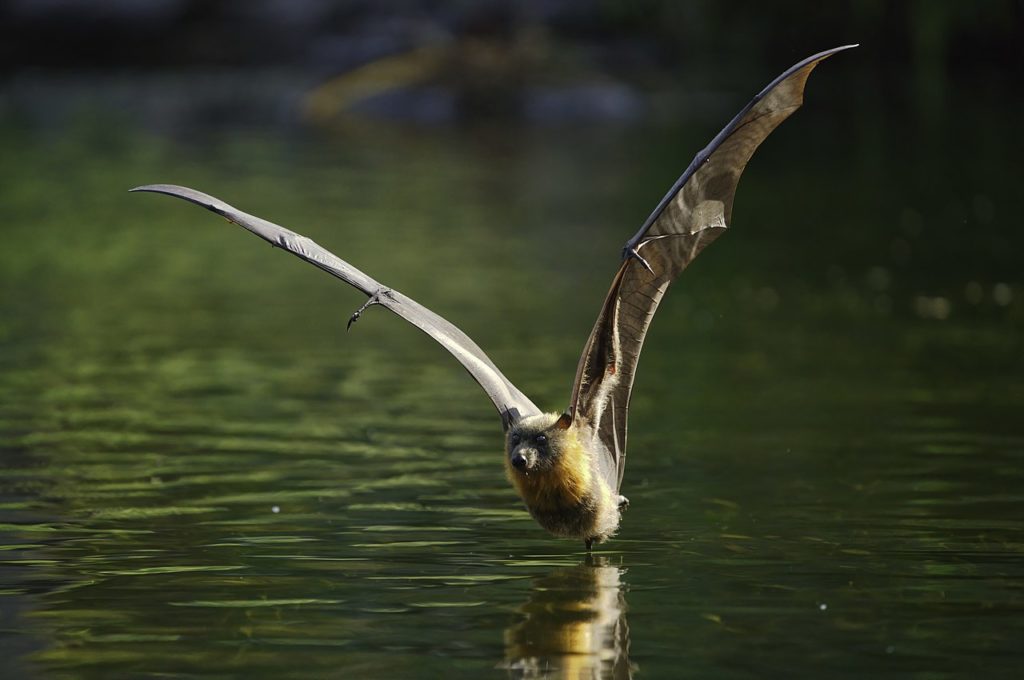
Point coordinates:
[[204, 476]]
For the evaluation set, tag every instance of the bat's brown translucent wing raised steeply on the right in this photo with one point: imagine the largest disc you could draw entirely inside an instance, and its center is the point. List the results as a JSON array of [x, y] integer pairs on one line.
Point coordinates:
[[695, 212]]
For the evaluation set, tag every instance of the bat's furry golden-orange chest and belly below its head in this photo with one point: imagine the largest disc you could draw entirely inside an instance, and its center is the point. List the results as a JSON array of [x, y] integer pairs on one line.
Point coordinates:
[[572, 499]]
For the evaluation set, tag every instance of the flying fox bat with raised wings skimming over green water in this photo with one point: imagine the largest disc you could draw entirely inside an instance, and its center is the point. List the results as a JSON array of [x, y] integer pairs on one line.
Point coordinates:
[[568, 467]]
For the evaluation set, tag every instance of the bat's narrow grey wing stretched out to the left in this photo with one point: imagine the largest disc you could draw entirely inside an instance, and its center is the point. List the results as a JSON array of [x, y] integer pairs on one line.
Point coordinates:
[[511, 404]]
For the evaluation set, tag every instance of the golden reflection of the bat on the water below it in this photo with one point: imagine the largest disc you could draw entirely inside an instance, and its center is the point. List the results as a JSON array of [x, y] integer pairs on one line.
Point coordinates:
[[574, 626]]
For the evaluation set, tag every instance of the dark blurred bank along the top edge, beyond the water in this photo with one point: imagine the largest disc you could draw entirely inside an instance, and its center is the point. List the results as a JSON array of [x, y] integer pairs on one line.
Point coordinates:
[[624, 36]]
